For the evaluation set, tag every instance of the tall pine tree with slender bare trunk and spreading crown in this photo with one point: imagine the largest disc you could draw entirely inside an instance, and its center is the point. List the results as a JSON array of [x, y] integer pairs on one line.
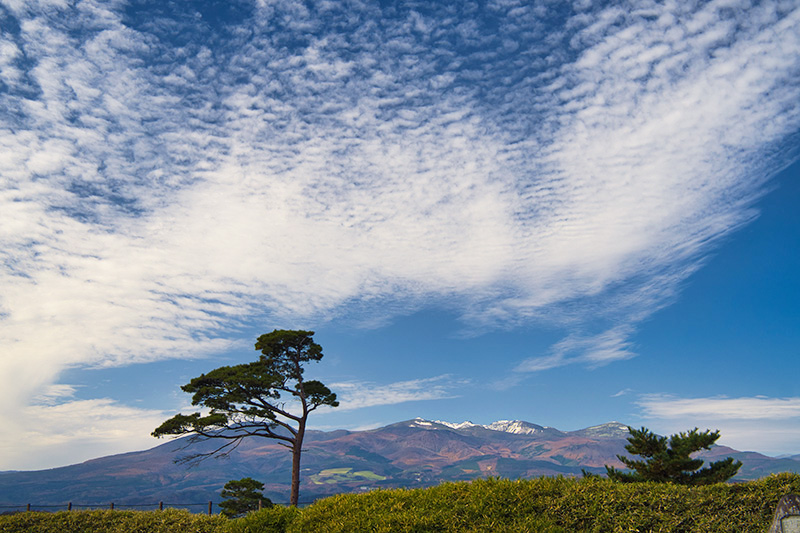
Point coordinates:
[[266, 398]]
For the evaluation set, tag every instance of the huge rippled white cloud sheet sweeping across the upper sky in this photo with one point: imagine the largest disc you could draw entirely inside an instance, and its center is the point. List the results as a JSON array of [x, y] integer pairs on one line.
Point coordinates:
[[155, 195]]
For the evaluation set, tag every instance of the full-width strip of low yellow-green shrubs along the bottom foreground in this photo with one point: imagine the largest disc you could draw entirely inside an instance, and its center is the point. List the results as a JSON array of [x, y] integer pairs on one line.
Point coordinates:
[[545, 504]]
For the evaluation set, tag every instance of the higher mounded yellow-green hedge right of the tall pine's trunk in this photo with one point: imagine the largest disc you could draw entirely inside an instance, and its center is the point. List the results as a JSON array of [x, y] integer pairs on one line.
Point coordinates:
[[554, 504]]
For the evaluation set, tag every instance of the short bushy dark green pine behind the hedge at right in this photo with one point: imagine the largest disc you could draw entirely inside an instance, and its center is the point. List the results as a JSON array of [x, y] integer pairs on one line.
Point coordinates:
[[669, 459]]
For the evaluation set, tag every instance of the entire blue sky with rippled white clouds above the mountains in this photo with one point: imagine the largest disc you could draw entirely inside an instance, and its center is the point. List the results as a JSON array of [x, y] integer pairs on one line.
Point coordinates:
[[564, 213]]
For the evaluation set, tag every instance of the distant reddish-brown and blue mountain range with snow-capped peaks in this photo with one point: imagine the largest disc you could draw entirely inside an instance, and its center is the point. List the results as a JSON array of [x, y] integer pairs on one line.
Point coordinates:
[[410, 454]]
